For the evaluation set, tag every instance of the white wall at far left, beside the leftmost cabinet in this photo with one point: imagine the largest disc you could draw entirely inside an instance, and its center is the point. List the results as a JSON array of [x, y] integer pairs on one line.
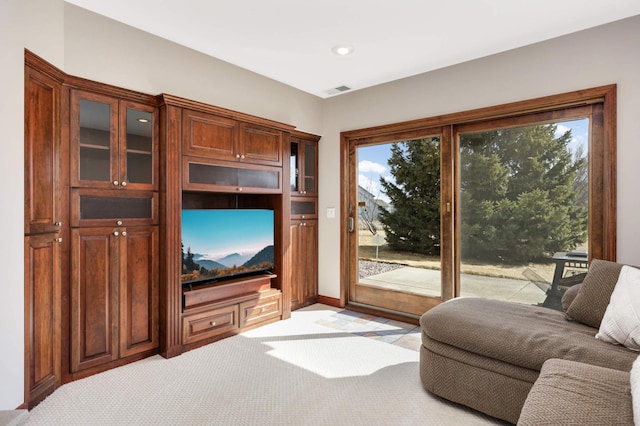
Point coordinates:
[[36, 25]]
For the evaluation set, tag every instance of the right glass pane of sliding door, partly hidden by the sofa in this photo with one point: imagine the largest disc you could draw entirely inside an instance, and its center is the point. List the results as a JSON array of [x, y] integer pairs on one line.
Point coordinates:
[[523, 206]]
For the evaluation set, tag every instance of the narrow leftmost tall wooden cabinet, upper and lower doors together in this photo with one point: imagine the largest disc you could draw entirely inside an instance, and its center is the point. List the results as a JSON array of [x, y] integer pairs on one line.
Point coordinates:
[[44, 228]]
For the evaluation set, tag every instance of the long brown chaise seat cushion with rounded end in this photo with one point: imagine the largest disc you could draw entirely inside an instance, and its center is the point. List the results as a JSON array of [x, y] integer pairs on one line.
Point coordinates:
[[521, 335]]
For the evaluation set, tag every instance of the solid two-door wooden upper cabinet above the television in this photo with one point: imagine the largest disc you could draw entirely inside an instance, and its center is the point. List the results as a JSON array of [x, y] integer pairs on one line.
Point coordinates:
[[212, 136]]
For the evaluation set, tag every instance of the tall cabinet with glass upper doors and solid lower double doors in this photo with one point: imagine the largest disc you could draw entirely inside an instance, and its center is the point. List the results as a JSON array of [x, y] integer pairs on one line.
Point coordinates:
[[114, 278]]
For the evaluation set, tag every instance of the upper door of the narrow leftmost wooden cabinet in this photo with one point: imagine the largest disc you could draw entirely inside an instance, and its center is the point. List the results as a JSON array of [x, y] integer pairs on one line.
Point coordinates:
[[42, 202]]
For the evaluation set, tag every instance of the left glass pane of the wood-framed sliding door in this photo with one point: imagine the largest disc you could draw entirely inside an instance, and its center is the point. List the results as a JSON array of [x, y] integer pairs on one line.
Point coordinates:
[[399, 216]]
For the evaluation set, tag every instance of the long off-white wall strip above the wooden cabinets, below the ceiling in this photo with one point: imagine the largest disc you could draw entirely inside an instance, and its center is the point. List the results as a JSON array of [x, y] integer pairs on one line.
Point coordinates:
[[110, 52]]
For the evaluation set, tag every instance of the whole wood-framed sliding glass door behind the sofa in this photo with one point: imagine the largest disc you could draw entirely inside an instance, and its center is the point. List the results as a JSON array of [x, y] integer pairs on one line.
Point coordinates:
[[507, 202]]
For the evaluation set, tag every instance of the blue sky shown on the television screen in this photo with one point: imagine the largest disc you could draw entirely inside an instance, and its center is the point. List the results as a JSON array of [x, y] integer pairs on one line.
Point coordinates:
[[217, 233]]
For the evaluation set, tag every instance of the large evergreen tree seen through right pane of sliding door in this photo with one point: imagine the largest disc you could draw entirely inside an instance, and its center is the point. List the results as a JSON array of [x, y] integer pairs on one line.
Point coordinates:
[[522, 195]]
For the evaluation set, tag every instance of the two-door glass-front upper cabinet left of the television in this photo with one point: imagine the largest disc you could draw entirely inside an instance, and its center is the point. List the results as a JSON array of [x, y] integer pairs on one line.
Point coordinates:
[[113, 143]]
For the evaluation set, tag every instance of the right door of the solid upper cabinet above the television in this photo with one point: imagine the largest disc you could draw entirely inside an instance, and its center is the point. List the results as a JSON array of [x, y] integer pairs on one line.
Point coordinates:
[[260, 145]]
